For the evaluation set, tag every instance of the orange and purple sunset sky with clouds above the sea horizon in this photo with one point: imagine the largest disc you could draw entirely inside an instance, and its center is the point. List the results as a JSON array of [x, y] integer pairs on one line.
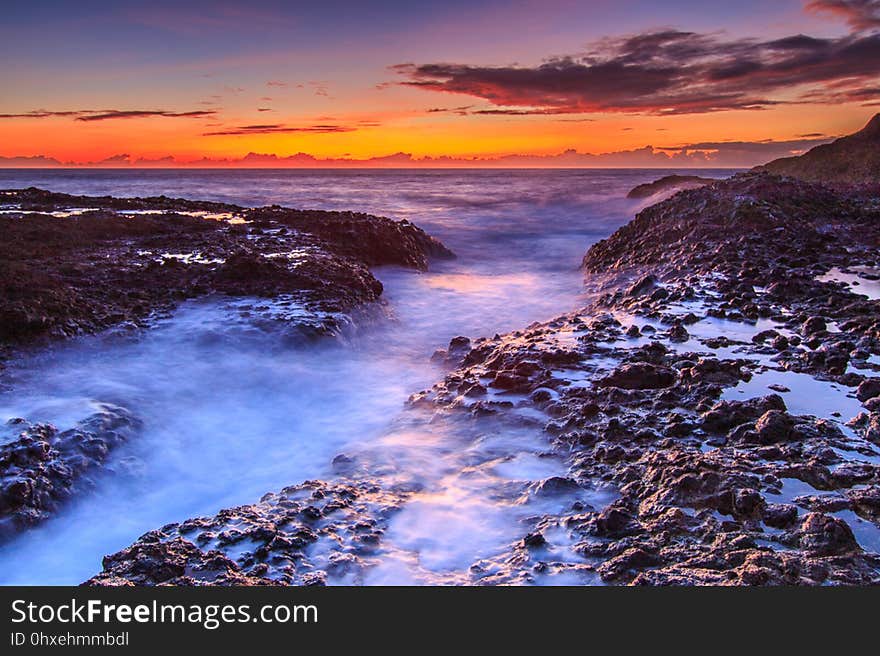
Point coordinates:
[[393, 83]]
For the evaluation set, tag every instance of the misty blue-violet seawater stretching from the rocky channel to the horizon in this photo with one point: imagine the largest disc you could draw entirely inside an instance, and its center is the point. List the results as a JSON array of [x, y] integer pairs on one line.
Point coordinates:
[[230, 411]]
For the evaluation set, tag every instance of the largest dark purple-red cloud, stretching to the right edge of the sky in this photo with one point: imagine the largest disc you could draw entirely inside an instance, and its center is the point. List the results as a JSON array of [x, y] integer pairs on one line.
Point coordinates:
[[666, 72]]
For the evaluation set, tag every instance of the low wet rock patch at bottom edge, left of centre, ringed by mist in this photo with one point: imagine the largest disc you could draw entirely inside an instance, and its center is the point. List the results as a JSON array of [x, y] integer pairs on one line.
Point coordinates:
[[303, 535]]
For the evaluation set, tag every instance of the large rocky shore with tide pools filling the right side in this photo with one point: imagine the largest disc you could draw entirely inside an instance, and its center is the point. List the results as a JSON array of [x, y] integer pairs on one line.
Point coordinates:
[[724, 284]]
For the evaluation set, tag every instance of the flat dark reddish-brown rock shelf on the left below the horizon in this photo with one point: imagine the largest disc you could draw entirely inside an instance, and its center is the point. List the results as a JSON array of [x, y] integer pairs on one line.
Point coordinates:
[[76, 264]]
